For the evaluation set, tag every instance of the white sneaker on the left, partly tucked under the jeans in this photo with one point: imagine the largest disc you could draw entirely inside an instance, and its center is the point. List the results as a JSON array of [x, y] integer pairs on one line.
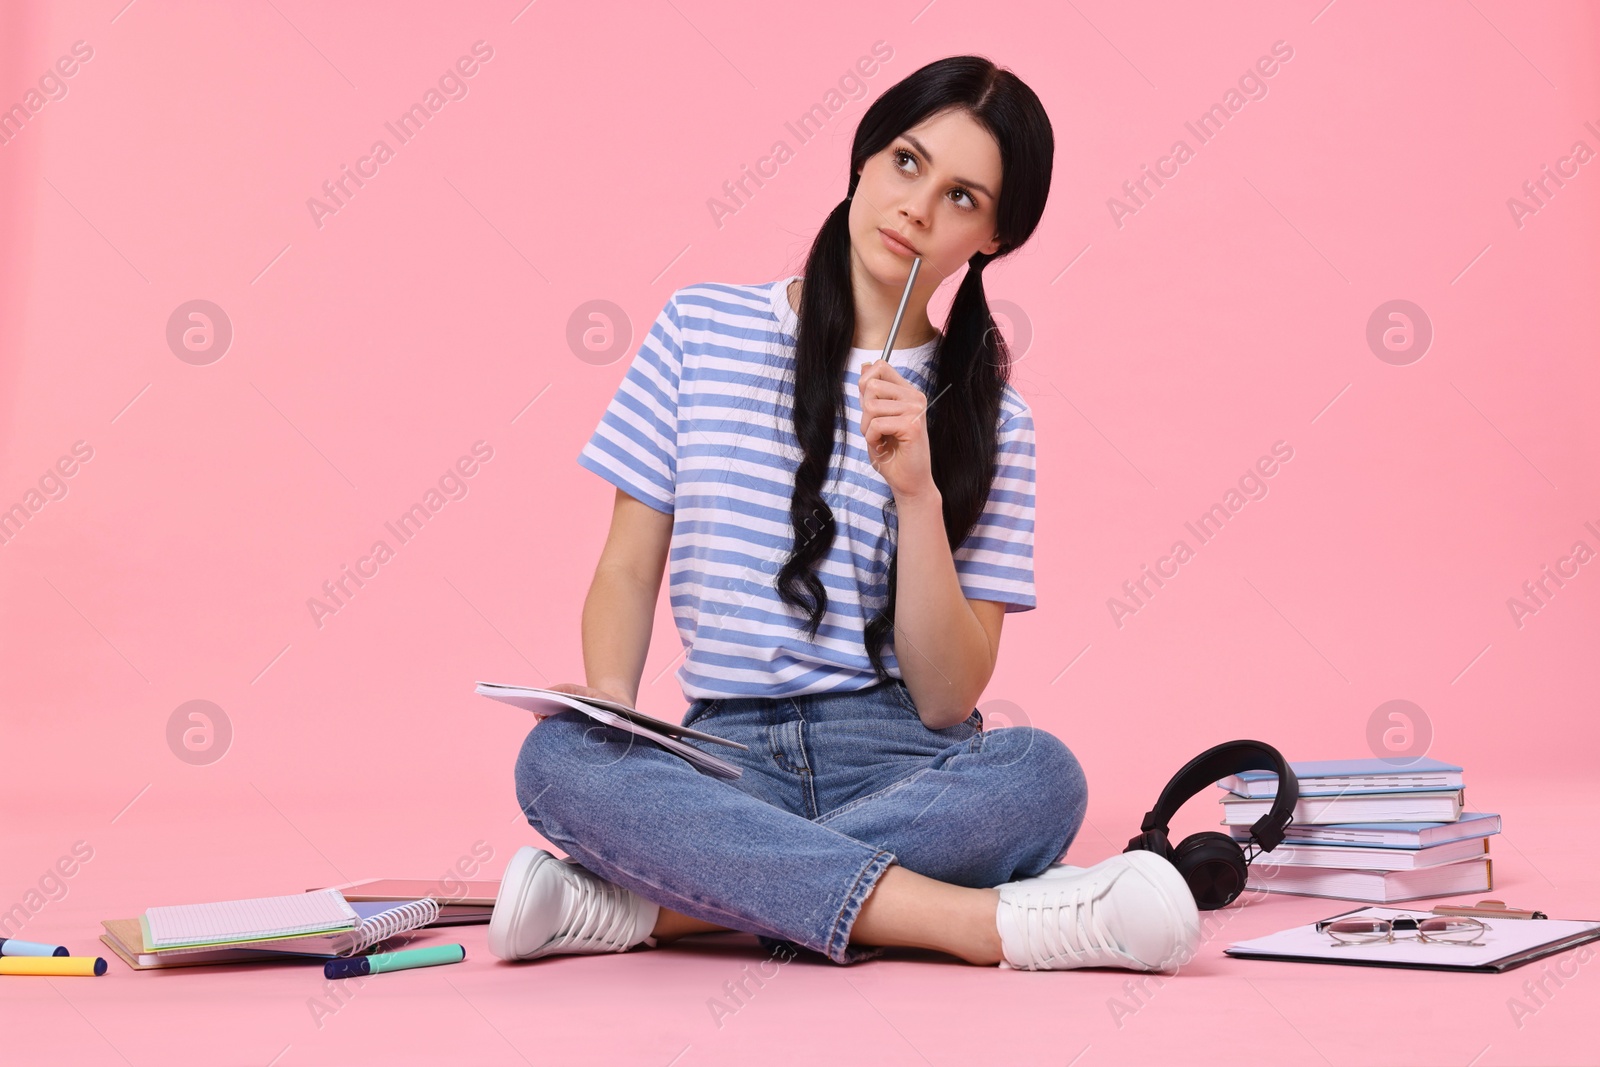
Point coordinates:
[[550, 906]]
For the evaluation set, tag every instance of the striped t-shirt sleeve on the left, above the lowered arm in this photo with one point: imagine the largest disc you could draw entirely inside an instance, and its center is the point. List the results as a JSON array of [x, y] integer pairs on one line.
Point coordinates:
[[636, 446]]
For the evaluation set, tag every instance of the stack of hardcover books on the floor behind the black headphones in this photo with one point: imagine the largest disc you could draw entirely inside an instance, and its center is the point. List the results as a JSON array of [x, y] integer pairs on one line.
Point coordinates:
[[1367, 831]]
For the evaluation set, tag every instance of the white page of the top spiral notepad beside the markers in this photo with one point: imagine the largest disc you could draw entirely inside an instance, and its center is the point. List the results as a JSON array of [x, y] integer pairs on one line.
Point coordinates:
[[255, 919]]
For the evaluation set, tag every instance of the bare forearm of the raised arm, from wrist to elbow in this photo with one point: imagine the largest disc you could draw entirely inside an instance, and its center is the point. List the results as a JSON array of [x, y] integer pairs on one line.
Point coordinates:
[[942, 647]]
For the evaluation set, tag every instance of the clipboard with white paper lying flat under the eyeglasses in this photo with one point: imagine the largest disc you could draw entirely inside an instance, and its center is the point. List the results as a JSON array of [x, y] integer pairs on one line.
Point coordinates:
[[1508, 945]]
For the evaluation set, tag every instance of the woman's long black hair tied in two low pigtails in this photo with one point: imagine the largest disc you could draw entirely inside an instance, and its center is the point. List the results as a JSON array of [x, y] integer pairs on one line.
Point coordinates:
[[972, 366]]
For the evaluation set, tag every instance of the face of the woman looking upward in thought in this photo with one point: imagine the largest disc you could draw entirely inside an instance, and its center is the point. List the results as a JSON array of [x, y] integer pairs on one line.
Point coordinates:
[[937, 186]]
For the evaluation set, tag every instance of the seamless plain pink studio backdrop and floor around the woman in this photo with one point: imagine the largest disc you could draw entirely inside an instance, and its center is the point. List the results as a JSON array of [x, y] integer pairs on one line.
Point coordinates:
[[433, 311]]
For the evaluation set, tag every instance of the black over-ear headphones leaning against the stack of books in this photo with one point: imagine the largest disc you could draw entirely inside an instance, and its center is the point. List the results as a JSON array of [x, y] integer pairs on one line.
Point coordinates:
[[1214, 865]]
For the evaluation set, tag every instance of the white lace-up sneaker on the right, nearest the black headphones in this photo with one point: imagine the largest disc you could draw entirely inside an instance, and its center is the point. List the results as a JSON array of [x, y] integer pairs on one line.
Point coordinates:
[[1132, 911]]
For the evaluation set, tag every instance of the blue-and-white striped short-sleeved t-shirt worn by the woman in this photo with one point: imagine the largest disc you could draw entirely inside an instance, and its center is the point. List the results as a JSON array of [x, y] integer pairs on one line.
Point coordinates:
[[702, 428]]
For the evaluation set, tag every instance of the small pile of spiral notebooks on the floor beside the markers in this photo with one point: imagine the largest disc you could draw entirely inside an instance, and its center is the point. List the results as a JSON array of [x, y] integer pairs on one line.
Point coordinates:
[[298, 925]]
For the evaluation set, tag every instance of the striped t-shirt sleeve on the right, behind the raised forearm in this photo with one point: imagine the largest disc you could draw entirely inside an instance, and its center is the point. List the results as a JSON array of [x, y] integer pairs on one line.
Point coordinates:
[[996, 562]]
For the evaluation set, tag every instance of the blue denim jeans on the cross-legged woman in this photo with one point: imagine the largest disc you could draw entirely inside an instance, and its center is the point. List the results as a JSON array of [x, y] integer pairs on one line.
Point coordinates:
[[836, 788]]
